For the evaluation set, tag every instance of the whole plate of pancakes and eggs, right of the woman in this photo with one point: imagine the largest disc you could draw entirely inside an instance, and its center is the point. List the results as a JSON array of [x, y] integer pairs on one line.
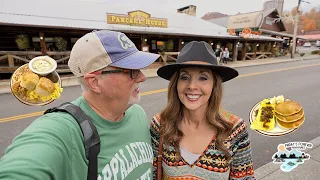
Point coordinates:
[[276, 116]]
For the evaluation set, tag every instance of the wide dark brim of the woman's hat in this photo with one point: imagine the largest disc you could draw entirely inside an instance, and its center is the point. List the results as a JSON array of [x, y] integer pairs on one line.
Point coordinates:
[[226, 73]]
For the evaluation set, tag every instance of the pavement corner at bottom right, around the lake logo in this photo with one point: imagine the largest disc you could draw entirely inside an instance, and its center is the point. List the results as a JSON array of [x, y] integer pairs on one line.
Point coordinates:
[[309, 170]]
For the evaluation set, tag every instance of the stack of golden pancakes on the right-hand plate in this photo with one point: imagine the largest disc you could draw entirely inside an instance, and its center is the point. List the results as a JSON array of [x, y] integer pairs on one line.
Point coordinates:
[[289, 114]]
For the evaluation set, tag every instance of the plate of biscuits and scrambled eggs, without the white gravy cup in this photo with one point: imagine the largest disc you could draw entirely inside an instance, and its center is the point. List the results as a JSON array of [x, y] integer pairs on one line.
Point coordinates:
[[34, 89]]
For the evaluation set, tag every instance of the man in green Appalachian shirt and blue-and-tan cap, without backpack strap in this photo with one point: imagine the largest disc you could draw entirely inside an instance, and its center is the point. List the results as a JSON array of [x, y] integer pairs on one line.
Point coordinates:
[[107, 65]]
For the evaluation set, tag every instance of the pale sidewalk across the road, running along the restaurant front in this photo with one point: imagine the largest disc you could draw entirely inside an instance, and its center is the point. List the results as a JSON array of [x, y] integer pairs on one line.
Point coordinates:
[[151, 71]]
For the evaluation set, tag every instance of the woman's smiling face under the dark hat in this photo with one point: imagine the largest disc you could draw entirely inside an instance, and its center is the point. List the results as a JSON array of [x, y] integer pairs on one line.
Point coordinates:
[[195, 87]]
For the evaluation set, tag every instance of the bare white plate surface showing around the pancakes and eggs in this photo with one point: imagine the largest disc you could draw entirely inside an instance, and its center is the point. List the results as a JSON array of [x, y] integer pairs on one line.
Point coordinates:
[[276, 131]]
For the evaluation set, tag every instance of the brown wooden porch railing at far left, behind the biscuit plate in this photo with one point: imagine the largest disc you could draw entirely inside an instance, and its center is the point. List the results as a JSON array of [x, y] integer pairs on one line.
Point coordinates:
[[11, 60]]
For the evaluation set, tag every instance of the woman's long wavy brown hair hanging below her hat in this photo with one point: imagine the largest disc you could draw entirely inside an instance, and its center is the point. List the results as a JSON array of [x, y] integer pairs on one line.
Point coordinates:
[[172, 116]]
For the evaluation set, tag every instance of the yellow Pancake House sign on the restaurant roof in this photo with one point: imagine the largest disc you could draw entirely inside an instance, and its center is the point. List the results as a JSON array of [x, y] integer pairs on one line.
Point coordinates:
[[137, 18]]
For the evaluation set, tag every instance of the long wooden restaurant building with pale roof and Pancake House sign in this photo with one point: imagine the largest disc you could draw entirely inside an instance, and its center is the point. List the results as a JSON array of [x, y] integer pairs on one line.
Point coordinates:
[[32, 28]]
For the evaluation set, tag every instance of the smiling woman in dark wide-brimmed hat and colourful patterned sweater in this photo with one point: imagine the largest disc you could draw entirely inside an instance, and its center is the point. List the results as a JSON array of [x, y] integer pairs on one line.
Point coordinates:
[[199, 139]]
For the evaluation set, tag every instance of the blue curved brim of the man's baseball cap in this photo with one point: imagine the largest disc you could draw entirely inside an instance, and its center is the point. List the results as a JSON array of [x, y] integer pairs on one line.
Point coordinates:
[[138, 60]]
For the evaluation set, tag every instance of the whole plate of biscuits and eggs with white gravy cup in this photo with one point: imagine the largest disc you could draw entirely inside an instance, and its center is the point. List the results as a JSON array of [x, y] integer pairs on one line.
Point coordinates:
[[36, 83]]
